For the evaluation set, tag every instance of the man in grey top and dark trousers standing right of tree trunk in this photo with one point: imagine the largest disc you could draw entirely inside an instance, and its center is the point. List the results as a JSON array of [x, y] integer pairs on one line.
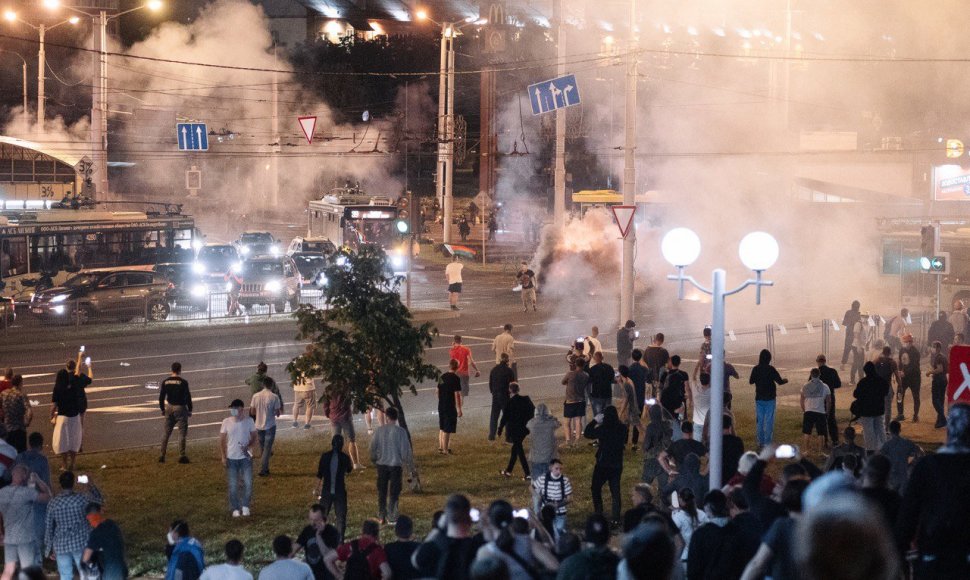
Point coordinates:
[[390, 451]]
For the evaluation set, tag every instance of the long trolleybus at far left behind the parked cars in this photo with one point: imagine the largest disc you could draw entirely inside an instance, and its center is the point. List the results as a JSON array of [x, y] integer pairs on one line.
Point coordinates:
[[43, 239]]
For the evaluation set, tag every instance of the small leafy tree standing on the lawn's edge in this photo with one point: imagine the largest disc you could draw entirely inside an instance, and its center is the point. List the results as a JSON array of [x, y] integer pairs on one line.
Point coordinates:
[[364, 343]]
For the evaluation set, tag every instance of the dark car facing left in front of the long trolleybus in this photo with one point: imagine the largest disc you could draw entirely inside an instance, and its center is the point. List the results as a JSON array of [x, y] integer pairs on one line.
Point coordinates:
[[124, 293]]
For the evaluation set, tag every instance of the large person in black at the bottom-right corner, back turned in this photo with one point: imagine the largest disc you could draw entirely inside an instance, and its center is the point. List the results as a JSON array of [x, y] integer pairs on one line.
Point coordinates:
[[936, 507]]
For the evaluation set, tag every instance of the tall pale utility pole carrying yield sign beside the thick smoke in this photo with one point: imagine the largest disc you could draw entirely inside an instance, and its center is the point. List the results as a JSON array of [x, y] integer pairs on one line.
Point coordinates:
[[629, 171]]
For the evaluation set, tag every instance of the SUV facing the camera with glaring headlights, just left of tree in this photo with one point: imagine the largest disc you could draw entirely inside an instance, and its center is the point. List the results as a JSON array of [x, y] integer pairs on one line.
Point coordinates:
[[267, 280]]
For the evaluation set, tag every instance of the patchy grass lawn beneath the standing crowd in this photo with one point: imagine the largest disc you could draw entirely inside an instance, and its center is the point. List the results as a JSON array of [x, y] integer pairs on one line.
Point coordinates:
[[145, 496]]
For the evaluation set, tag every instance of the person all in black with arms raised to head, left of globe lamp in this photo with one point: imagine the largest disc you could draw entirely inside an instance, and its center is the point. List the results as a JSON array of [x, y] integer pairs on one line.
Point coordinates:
[[611, 434]]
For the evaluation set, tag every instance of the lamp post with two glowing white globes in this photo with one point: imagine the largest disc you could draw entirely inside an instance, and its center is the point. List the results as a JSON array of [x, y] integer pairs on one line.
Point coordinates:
[[758, 251]]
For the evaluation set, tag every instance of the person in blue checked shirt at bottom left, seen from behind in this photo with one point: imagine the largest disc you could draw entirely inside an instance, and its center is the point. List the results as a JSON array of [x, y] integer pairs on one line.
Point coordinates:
[[67, 528]]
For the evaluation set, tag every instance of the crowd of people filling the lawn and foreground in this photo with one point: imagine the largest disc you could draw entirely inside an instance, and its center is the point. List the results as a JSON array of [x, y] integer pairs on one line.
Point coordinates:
[[883, 509]]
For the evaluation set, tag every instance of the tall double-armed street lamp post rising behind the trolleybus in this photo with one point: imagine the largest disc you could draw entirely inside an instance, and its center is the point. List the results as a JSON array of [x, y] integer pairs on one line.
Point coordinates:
[[99, 100]]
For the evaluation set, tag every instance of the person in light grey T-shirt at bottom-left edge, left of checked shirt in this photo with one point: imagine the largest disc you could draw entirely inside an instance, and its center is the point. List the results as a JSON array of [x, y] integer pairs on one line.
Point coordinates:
[[17, 503]]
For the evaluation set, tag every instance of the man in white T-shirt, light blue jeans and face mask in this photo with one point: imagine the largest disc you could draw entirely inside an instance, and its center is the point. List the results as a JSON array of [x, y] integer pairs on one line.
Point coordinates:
[[237, 437]]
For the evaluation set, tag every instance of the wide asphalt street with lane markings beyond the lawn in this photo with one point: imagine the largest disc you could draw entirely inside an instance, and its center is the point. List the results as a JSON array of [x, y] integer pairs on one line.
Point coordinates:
[[216, 360]]
